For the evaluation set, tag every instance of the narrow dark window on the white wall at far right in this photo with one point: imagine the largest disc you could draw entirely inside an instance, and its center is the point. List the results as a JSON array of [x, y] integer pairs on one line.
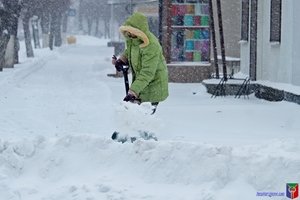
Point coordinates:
[[275, 26]]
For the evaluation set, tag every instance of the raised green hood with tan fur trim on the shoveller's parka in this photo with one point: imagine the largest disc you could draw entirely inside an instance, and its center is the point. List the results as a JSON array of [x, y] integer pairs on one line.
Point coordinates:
[[137, 24]]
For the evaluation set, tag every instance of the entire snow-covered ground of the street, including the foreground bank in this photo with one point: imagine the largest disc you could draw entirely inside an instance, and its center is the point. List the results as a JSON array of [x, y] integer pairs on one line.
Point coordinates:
[[59, 109]]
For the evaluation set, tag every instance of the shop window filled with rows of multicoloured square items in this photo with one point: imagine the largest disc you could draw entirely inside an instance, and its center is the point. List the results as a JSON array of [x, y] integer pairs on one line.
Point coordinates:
[[190, 31]]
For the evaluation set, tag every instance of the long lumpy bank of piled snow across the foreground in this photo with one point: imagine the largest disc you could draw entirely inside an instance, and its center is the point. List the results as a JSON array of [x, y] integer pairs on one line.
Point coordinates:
[[96, 168]]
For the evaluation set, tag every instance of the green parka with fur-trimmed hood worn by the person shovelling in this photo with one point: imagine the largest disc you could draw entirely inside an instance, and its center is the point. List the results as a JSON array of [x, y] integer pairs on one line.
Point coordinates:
[[145, 57]]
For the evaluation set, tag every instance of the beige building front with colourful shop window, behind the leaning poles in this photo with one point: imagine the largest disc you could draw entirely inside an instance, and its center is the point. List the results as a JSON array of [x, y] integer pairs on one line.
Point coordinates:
[[186, 36]]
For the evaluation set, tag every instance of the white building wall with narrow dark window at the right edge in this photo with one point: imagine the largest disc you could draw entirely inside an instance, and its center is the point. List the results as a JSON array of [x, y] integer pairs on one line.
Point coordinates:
[[270, 46]]
